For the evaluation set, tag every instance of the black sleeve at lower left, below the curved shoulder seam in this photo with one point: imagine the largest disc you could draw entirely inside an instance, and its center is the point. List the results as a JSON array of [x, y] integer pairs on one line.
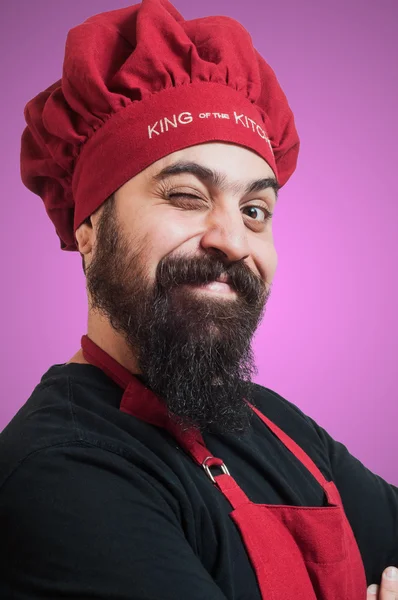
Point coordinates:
[[78, 521]]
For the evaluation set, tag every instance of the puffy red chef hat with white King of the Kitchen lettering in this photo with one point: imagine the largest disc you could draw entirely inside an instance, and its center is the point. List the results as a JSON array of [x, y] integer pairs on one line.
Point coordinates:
[[140, 83]]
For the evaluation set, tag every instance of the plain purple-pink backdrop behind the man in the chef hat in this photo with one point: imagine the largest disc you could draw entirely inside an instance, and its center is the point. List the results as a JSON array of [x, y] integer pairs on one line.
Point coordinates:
[[329, 339]]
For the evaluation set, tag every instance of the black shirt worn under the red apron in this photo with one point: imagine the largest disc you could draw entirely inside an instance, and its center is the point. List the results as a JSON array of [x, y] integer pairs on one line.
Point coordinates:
[[95, 503]]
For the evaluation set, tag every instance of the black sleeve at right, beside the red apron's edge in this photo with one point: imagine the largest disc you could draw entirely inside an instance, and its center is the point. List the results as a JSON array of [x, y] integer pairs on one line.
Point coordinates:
[[371, 506]]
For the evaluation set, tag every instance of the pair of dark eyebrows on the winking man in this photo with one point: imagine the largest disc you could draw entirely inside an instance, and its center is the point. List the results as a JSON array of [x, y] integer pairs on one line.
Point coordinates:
[[216, 178]]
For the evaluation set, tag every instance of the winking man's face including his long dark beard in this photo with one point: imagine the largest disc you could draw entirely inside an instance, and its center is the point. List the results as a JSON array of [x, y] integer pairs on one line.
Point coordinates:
[[182, 266]]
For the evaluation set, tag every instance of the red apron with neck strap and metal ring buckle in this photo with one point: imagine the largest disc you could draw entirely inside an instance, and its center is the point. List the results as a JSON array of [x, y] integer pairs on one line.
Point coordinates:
[[305, 553]]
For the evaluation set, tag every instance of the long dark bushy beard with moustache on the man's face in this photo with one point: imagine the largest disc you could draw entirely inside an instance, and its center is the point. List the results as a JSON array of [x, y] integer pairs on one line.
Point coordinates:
[[193, 349]]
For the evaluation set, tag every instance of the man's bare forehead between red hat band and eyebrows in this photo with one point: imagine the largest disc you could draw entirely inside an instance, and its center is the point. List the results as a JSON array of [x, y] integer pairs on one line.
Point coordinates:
[[235, 162]]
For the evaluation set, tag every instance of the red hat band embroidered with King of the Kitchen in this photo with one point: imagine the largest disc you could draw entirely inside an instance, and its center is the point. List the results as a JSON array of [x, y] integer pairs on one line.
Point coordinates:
[[167, 121]]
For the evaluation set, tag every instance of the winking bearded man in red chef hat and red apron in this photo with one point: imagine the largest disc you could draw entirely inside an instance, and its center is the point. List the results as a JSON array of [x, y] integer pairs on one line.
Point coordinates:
[[148, 465]]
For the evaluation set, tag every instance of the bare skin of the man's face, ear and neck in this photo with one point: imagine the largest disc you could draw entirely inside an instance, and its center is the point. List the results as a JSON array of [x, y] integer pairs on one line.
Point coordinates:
[[221, 226]]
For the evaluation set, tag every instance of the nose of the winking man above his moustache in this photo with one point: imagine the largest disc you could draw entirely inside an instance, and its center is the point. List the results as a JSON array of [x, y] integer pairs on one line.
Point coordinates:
[[226, 233]]
